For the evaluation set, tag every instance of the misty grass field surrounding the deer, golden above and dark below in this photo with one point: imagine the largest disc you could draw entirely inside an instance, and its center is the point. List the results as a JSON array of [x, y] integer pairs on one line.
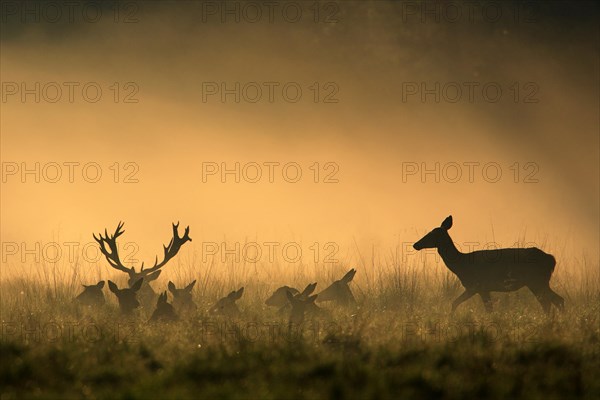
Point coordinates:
[[400, 342]]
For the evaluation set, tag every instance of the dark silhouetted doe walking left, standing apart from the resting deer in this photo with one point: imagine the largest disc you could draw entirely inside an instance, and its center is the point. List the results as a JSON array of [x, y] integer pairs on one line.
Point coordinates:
[[500, 270]]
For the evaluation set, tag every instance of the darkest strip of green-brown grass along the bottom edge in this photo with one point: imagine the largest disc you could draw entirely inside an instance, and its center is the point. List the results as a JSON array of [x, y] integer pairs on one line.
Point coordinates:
[[337, 368]]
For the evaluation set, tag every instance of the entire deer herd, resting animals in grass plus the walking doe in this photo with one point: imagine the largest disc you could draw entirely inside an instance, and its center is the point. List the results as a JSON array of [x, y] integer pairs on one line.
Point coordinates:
[[480, 272]]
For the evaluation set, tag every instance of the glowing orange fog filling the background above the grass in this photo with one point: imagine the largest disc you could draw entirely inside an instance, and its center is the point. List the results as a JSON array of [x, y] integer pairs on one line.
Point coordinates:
[[370, 131]]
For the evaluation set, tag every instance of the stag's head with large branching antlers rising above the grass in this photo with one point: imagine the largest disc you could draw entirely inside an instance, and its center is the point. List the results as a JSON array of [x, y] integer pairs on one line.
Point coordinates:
[[108, 247]]
